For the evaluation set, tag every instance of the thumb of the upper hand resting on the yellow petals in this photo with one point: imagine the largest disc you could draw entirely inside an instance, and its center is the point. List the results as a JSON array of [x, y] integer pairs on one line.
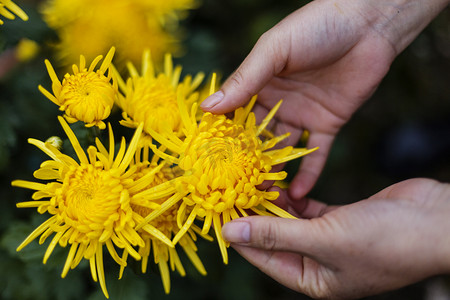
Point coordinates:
[[266, 59]]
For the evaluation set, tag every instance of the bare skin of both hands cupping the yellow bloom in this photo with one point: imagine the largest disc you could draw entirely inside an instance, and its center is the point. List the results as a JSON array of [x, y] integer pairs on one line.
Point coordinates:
[[325, 60]]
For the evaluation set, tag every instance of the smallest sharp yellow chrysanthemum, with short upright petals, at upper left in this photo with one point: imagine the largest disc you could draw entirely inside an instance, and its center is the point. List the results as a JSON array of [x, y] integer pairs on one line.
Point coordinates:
[[87, 95]]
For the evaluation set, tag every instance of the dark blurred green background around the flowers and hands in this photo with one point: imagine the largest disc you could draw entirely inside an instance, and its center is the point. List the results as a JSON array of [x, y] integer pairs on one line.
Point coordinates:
[[403, 131]]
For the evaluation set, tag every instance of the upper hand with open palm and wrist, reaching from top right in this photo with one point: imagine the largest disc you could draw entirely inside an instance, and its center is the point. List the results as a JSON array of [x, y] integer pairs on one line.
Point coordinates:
[[324, 60]]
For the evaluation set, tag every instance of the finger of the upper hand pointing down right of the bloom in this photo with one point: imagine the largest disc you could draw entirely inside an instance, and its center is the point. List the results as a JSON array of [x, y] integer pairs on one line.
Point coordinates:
[[311, 165]]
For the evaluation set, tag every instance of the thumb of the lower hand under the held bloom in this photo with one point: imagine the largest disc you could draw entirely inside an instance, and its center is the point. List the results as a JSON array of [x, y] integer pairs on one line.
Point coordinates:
[[276, 234]]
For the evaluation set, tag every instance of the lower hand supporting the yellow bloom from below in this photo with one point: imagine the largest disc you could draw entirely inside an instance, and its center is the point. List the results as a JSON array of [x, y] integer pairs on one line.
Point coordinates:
[[392, 239]]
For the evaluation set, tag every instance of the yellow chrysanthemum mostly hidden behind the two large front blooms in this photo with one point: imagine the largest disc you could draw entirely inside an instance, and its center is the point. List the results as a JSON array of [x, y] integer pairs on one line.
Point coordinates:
[[163, 255]]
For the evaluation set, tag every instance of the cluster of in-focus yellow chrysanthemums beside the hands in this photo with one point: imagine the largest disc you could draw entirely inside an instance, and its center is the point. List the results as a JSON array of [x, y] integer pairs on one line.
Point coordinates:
[[182, 173]]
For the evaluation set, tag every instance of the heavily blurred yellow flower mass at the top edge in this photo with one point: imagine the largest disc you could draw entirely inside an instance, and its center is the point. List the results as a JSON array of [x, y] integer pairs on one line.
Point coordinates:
[[92, 27]]
